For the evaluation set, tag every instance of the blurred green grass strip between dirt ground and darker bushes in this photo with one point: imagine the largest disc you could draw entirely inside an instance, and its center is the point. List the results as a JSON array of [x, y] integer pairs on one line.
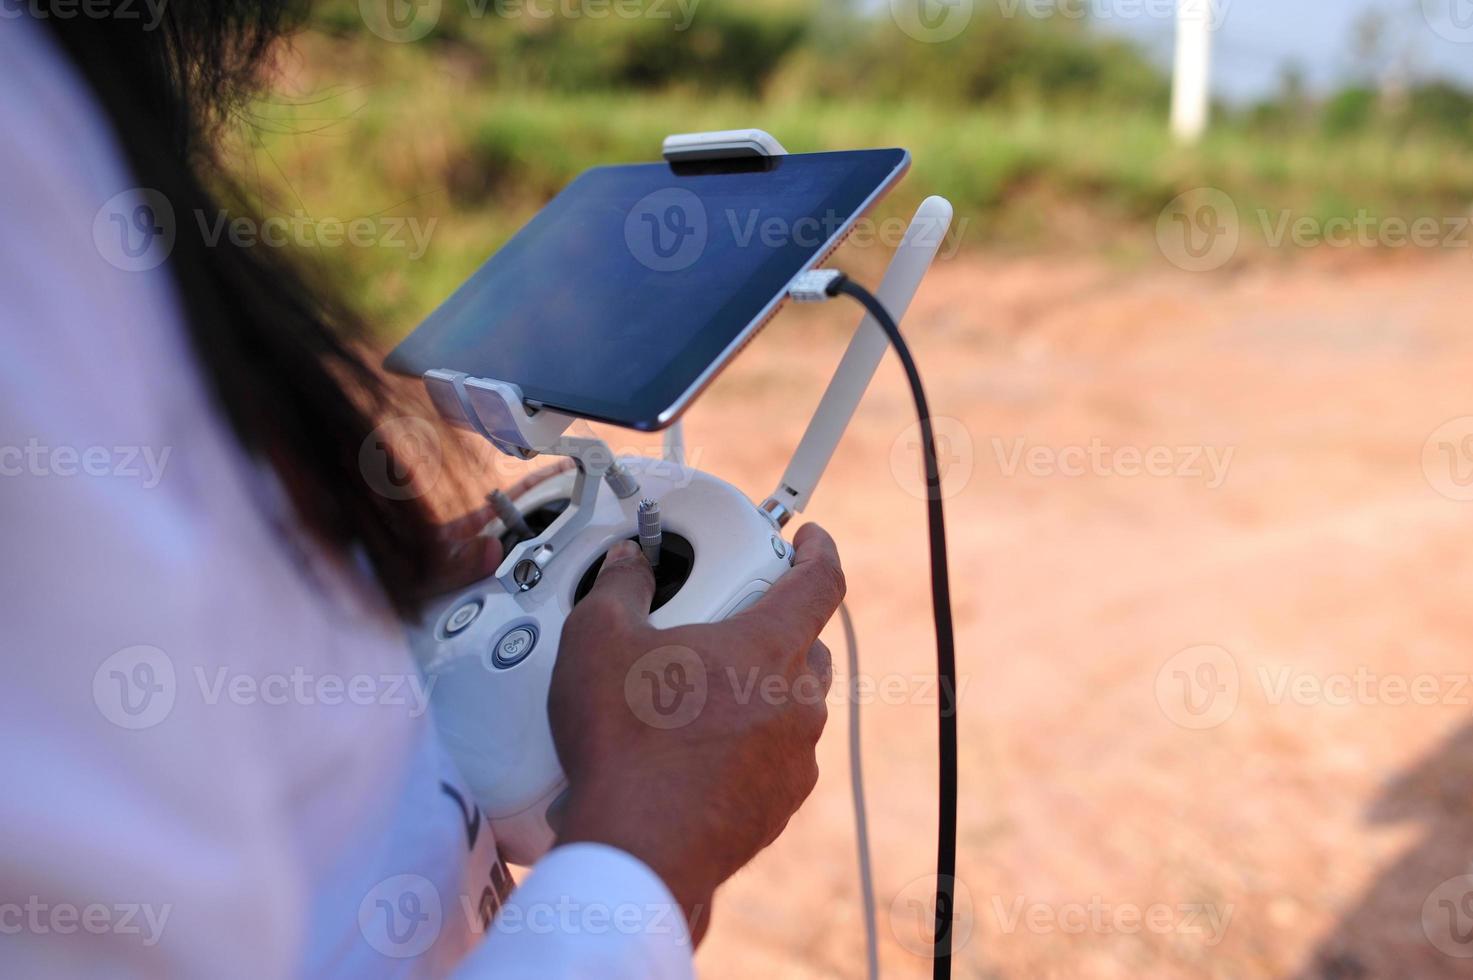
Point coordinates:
[[403, 132]]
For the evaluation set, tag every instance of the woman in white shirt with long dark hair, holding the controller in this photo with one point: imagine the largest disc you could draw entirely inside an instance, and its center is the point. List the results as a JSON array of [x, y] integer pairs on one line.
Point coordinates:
[[219, 754]]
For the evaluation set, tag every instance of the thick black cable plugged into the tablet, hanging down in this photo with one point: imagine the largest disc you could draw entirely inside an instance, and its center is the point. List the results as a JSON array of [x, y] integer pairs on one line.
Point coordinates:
[[945, 634]]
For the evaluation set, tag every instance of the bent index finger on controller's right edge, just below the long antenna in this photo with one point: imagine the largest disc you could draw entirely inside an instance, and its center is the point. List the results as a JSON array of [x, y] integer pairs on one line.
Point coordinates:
[[799, 606]]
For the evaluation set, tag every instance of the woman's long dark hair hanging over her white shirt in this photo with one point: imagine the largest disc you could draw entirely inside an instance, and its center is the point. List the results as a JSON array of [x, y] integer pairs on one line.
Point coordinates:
[[276, 346]]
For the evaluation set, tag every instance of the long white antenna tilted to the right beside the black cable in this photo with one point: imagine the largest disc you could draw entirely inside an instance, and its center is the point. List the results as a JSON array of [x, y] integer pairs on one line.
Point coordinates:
[[907, 270]]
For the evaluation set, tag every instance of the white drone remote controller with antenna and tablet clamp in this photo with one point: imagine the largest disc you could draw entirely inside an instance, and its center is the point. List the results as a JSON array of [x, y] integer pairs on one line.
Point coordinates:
[[490, 651]]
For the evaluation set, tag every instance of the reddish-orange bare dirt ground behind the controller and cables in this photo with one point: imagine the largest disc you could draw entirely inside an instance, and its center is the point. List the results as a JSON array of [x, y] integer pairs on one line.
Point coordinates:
[[1213, 614]]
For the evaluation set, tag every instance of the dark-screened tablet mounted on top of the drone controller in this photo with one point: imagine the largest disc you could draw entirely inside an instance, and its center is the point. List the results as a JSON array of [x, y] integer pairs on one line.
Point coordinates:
[[637, 285]]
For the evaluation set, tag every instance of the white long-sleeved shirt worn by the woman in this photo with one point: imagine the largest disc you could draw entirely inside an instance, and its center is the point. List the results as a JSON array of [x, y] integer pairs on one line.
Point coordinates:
[[214, 758]]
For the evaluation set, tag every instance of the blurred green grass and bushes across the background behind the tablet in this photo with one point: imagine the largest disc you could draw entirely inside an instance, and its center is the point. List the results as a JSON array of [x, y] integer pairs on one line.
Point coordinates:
[[1045, 133]]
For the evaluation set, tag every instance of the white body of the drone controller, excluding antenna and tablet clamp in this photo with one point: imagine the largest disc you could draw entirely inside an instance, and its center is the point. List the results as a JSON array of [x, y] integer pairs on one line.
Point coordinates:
[[488, 652]]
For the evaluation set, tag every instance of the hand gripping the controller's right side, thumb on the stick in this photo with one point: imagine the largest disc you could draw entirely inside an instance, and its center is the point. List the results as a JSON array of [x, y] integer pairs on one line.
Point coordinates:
[[692, 748]]
